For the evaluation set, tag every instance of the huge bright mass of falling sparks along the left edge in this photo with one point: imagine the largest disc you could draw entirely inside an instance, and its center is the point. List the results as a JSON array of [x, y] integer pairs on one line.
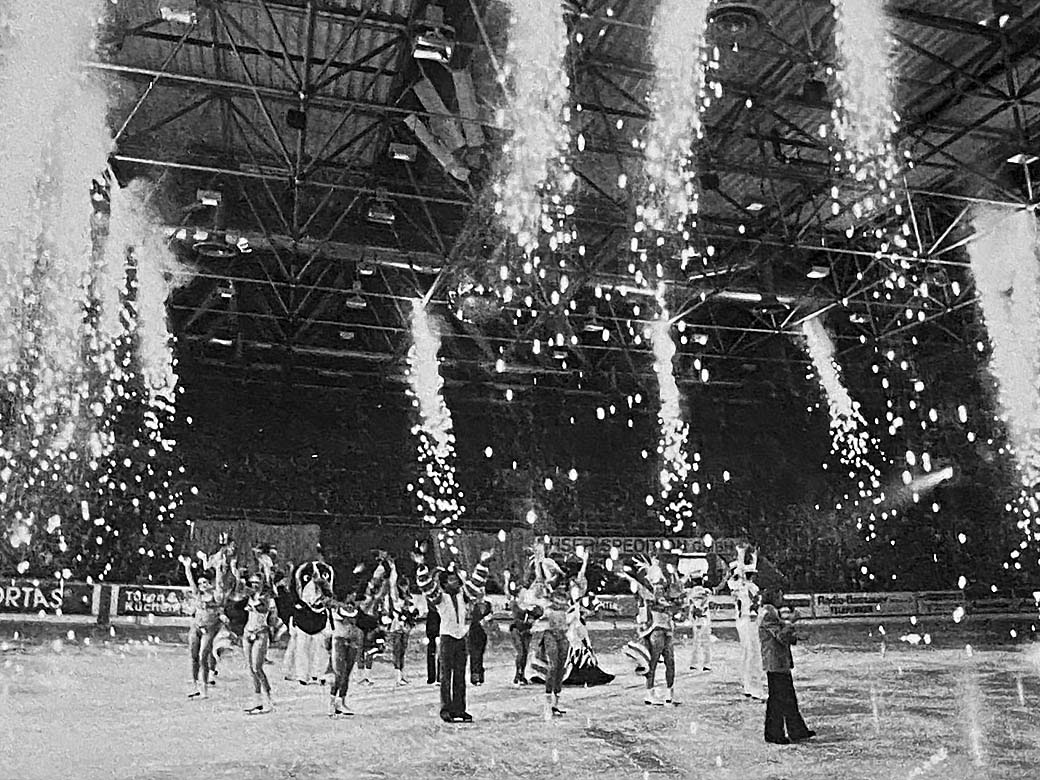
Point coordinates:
[[65, 353]]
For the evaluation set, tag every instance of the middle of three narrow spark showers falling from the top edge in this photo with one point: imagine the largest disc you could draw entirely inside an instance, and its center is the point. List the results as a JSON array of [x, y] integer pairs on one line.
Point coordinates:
[[678, 100]]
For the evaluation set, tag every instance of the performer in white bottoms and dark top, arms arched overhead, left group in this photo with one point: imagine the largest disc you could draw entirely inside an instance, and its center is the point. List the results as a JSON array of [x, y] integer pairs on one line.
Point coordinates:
[[308, 658]]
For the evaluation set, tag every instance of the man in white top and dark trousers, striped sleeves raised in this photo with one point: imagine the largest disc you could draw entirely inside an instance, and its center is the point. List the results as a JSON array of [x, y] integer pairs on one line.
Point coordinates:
[[453, 600]]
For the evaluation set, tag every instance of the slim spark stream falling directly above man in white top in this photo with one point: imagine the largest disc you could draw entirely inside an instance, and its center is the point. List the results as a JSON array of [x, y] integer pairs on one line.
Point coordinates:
[[436, 488]]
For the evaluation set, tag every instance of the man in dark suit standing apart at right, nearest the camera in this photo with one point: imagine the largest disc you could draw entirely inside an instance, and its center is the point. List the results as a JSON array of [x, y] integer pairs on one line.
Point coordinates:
[[777, 636]]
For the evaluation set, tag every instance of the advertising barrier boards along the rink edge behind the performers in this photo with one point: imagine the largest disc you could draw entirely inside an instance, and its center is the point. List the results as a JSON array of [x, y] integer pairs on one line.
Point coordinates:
[[172, 605]]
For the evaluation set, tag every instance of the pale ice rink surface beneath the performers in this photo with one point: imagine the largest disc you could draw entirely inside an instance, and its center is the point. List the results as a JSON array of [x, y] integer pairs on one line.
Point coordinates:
[[118, 711]]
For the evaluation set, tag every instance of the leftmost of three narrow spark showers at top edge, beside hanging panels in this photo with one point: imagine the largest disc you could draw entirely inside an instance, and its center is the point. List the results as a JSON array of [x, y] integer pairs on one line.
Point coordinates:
[[537, 114]]
